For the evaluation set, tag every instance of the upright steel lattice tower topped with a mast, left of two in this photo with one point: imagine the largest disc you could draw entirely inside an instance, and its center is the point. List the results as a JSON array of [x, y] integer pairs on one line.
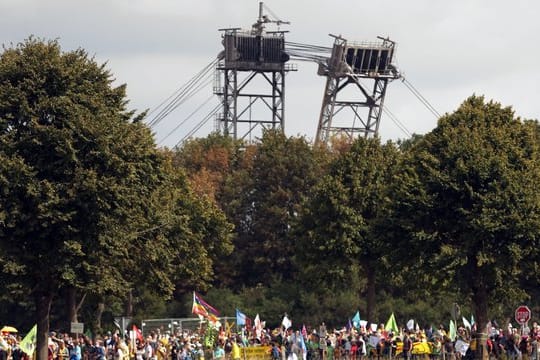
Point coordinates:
[[252, 60]]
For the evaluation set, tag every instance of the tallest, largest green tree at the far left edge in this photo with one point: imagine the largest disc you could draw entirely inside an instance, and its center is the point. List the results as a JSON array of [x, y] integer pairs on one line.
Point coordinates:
[[80, 180]]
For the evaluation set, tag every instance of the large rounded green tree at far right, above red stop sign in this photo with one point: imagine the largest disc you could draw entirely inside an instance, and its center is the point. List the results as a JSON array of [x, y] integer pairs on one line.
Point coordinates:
[[469, 200]]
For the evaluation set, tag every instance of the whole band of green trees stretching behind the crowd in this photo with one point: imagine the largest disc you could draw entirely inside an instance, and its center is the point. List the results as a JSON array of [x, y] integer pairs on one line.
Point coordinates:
[[96, 221]]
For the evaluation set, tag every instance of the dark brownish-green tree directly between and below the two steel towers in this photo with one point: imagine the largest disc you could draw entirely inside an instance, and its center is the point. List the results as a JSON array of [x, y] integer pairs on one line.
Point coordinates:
[[262, 197]]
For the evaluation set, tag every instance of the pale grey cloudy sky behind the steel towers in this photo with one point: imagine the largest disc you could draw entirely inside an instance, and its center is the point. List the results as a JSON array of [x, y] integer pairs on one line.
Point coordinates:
[[448, 50]]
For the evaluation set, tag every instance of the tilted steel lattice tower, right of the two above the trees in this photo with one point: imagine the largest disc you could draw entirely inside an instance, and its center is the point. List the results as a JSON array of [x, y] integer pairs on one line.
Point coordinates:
[[358, 104]]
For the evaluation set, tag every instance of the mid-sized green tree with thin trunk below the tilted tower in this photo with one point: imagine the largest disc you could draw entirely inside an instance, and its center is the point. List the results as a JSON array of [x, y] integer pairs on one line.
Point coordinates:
[[339, 229]]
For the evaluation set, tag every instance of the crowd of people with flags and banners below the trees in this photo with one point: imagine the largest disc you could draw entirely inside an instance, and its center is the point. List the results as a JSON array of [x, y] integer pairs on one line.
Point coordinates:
[[306, 344]]
